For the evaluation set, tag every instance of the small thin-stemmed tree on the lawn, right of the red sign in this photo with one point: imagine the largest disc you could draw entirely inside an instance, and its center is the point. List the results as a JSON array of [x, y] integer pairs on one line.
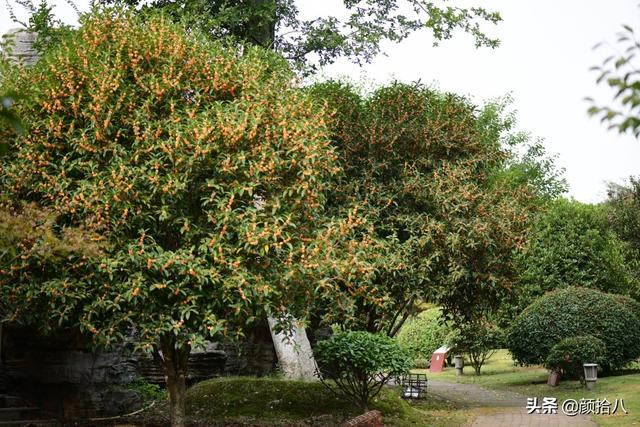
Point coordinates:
[[478, 340]]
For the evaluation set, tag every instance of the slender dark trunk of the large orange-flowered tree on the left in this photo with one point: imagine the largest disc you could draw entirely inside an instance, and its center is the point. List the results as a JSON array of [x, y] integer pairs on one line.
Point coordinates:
[[175, 369]]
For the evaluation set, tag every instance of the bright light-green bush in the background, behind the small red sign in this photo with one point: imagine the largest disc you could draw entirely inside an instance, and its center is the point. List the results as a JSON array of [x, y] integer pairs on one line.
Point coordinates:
[[423, 334]]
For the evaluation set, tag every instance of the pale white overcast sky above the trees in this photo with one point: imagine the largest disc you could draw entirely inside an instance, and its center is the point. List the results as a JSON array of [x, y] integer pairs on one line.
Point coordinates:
[[543, 62]]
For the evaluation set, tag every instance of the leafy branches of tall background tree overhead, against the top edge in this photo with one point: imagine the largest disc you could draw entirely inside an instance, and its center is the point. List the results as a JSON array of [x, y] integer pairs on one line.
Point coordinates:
[[309, 41]]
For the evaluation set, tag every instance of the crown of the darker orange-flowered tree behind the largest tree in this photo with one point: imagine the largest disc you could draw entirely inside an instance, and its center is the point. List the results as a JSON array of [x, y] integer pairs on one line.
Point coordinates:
[[422, 166]]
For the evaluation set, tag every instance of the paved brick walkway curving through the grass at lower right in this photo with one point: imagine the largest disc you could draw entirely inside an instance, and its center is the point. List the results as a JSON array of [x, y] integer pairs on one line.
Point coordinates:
[[501, 408]]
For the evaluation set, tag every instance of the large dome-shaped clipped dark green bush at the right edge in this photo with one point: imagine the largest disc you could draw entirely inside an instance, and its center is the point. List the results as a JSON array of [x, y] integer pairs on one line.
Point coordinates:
[[572, 312]]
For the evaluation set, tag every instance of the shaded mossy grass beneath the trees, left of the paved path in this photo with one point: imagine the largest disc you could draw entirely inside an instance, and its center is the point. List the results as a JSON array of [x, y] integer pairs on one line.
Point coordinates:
[[248, 401]]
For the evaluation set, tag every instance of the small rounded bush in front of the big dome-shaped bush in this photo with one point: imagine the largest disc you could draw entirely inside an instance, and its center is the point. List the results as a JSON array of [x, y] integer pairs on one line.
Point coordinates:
[[569, 354]]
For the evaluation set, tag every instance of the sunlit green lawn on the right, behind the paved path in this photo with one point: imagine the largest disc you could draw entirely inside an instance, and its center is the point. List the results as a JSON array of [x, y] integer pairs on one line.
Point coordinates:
[[501, 373]]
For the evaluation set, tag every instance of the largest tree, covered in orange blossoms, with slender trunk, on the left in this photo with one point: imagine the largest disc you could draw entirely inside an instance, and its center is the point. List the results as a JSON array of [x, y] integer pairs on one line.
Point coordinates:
[[199, 168]]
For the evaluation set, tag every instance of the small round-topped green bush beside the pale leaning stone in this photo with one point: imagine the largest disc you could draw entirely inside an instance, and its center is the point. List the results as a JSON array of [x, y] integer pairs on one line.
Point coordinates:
[[357, 364]]
